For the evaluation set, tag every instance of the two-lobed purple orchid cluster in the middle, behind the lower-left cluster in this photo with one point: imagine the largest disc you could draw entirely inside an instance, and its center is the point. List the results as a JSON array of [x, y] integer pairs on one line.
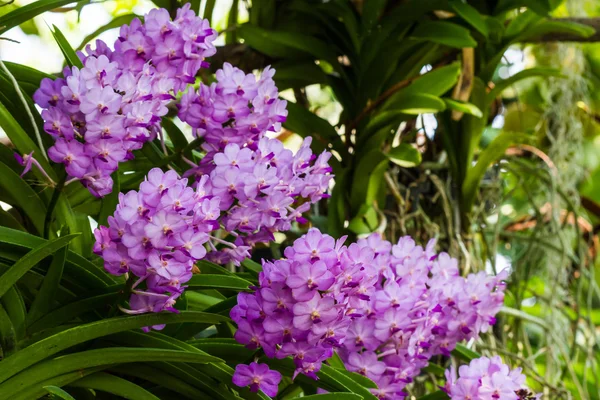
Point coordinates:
[[260, 183]]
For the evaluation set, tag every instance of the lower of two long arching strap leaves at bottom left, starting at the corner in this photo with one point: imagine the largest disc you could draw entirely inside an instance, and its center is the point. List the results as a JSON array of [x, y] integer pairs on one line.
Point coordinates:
[[93, 358]]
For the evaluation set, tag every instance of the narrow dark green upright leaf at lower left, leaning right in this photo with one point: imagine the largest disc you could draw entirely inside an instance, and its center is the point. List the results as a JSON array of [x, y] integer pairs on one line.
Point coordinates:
[[45, 296]]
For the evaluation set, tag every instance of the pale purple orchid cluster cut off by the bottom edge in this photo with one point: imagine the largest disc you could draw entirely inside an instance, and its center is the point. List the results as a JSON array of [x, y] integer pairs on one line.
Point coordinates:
[[487, 379]]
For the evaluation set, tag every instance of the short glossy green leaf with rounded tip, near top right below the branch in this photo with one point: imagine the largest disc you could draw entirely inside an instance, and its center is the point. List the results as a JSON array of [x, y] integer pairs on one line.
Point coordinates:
[[446, 33]]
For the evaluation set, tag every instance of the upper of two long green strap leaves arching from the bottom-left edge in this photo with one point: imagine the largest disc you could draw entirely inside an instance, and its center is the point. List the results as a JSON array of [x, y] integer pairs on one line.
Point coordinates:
[[73, 336]]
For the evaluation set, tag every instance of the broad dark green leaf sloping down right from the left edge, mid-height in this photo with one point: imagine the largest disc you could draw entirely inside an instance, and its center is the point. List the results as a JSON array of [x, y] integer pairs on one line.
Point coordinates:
[[23, 197]]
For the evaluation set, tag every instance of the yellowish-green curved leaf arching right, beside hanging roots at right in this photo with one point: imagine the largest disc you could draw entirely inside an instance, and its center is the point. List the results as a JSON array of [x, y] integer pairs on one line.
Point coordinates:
[[489, 155]]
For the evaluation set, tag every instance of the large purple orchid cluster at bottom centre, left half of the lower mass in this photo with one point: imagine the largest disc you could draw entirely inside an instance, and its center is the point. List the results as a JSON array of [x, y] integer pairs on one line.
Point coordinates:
[[304, 304]]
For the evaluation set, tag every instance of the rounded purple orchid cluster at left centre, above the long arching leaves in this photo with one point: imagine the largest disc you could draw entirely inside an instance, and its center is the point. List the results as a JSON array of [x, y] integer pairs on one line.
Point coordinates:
[[157, 234]]
